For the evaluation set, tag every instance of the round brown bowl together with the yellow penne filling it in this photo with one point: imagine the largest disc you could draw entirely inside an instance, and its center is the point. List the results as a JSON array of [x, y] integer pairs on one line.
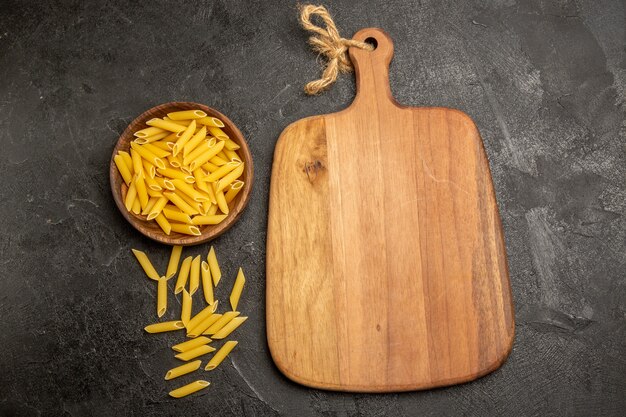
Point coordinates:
[[181, 173]]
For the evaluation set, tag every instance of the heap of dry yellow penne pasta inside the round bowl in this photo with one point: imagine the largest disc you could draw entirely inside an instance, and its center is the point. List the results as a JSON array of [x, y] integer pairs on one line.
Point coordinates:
[[182, 171]]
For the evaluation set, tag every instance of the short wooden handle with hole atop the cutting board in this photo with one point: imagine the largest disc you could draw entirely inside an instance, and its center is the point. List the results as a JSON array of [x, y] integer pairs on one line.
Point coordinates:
[[371, 68]]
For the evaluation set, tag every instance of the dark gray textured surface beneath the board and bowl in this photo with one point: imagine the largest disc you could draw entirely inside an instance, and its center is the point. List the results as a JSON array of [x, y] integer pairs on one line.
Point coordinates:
[[544, 80]]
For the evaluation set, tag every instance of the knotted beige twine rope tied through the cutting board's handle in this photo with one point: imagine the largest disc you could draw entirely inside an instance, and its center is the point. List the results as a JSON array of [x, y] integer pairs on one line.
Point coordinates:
[[327, 42]]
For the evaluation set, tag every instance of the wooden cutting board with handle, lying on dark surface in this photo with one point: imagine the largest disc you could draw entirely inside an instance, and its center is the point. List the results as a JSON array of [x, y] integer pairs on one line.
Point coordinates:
[[386, 265]]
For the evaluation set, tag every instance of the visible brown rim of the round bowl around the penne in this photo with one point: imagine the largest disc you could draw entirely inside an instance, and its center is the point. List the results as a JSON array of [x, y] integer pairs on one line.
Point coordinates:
[[150, 228]]
